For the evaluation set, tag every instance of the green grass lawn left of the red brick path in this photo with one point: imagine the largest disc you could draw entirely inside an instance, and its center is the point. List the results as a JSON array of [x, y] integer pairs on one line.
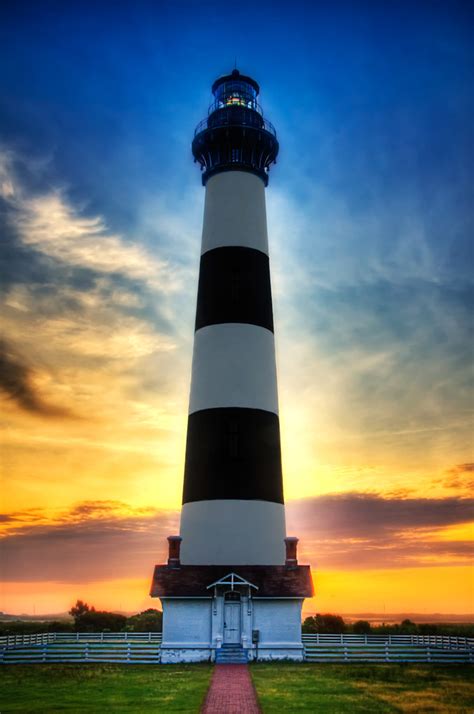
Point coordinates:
[[103, 688]]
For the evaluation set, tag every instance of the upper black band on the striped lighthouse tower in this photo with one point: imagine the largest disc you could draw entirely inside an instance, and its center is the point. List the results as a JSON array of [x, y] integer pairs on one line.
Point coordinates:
[[234, 286]]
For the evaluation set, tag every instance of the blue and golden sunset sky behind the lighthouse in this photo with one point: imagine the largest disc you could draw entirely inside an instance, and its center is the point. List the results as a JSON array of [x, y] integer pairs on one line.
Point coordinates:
[[370, 219]]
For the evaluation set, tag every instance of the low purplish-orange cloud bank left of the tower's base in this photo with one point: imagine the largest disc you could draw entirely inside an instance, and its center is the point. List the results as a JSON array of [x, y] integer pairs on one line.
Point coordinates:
[[93, 541]]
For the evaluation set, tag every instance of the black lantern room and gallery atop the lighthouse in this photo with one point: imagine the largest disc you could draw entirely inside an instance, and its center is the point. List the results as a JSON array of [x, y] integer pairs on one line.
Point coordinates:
[[235, 135]]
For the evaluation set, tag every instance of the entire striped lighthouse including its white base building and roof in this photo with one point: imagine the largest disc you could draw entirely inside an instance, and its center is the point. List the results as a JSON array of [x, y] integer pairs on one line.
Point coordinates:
[[232, 589]]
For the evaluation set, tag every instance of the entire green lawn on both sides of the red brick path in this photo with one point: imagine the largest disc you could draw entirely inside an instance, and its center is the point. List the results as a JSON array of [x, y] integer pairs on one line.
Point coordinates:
[[282, 688]]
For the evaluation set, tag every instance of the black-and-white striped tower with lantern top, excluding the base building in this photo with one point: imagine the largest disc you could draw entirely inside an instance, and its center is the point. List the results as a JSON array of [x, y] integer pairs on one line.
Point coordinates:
[[233, 508]]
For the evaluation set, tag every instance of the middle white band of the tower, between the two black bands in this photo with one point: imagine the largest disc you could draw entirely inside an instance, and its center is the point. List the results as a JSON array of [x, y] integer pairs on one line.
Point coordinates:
[[233, 366]]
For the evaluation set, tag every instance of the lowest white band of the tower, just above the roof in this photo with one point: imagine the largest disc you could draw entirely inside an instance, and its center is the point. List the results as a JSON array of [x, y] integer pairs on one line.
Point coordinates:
[[233, 532]]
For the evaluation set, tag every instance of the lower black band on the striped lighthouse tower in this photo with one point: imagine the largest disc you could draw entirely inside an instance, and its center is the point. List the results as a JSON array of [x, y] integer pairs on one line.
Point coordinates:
[[233, 453]]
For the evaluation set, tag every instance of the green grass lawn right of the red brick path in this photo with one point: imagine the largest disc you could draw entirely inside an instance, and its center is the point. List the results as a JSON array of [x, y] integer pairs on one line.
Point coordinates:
[[358, 688]]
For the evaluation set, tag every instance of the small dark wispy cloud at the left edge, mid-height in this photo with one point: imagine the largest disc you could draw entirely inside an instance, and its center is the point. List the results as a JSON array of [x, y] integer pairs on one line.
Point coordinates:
[[17, 383]]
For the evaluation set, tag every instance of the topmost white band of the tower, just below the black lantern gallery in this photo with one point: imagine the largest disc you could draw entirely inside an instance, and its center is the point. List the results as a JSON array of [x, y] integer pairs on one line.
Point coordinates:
[[234, 212]]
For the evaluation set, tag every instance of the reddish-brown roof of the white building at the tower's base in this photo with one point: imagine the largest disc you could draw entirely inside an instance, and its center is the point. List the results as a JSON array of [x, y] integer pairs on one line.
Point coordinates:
[[271, 580]]
